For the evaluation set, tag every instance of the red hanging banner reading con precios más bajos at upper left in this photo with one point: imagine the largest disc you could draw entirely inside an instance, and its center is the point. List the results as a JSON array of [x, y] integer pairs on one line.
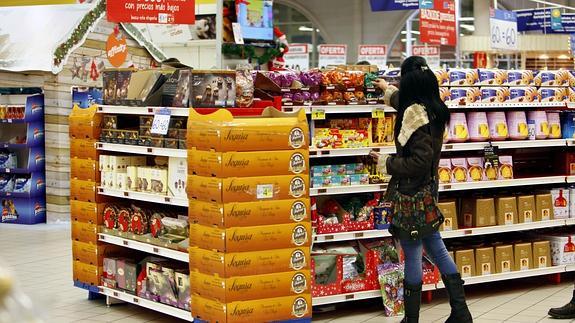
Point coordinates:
[[152, 12]]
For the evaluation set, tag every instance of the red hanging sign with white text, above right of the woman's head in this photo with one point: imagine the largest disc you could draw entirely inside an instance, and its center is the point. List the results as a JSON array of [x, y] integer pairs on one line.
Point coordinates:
[[437, 26]]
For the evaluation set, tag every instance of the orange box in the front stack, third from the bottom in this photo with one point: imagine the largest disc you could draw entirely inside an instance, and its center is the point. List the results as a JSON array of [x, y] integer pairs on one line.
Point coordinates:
[[249, 263]]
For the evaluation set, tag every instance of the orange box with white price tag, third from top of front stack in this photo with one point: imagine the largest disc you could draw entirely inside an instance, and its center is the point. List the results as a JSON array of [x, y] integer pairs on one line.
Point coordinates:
[[247, 189]]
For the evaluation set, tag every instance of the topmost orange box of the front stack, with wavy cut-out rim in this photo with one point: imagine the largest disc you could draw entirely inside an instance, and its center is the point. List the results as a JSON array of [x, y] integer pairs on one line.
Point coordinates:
[[272, 130]]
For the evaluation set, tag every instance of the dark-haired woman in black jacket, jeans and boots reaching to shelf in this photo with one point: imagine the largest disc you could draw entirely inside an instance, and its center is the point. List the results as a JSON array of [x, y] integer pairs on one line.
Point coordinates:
[[420, 123]]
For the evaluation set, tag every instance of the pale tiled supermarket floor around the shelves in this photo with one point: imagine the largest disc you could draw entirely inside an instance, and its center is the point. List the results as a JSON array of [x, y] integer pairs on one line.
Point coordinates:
[[40, 258]]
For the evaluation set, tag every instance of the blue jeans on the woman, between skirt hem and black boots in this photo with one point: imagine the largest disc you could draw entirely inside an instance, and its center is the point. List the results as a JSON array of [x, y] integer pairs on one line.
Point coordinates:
[[435, 249]]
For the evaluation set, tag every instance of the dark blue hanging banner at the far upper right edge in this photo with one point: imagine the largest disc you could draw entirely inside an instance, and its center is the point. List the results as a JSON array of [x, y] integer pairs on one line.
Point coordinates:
[[540, 20]]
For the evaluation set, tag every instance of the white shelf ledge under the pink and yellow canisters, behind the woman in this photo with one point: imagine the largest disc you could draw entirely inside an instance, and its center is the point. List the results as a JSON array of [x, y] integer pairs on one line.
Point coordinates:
[[466, 146]]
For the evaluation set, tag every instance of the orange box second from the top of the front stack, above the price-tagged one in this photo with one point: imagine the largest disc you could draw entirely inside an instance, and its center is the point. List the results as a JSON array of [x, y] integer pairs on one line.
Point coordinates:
[[244, 164]]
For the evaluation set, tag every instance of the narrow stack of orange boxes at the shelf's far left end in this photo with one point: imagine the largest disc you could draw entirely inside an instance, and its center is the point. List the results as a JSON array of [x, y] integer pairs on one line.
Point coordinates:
[[85, 205]]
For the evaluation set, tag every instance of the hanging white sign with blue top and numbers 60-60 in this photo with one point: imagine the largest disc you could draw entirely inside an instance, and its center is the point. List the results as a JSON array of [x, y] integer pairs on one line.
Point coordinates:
[[503, 26]]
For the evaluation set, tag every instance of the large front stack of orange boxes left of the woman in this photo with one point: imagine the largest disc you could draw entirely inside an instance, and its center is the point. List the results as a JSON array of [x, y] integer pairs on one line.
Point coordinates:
[[250, 230]]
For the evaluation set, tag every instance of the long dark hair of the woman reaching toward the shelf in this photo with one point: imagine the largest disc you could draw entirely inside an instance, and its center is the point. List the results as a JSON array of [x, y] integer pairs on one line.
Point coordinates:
[[419, 85]]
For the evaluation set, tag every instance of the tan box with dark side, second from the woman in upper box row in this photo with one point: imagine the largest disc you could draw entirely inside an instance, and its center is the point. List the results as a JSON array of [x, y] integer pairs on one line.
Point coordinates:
[[478, 212]]
